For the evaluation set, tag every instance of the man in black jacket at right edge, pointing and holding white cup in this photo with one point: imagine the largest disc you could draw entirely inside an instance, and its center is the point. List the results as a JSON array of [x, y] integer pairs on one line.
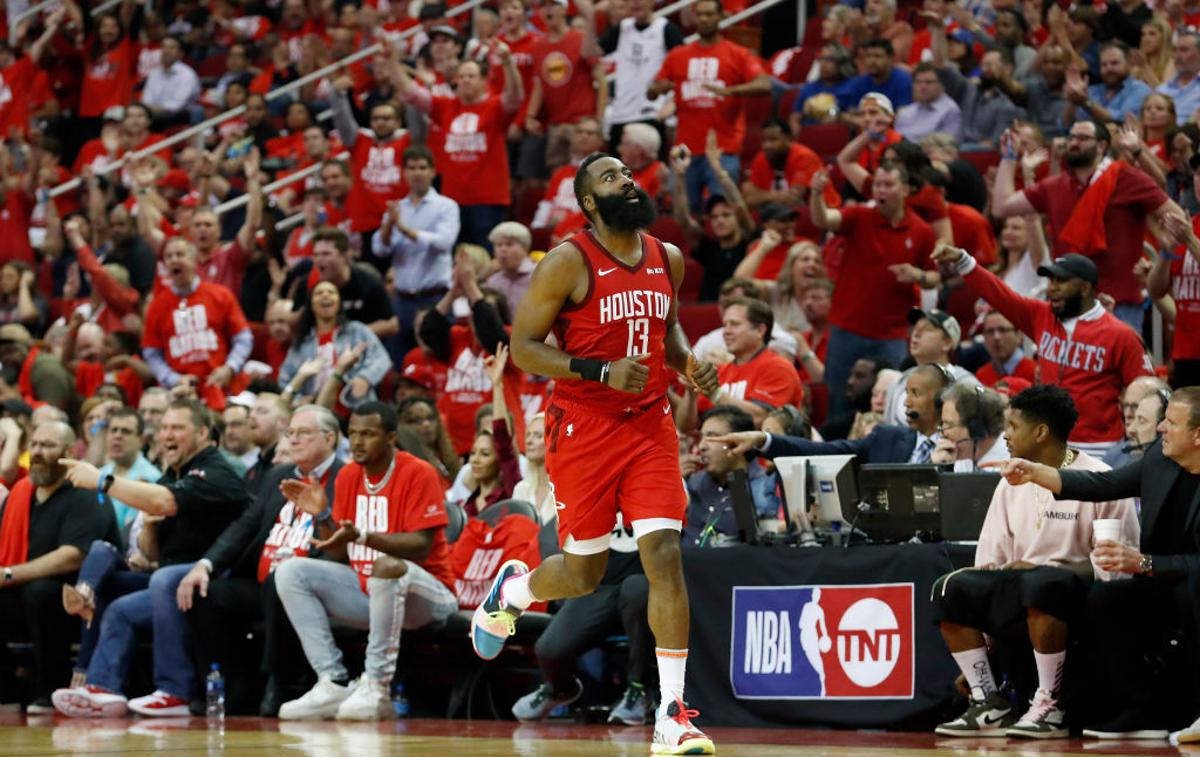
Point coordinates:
[[1126, 614]]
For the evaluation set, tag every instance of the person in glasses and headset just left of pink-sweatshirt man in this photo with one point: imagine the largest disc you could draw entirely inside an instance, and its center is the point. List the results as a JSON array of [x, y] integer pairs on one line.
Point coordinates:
[[971, 428]]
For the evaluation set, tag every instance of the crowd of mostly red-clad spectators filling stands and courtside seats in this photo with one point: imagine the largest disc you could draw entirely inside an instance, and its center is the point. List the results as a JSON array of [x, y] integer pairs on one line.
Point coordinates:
[[933, 233]]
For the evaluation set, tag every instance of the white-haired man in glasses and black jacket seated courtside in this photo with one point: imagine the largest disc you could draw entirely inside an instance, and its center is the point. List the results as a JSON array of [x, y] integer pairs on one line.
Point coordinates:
[[244, 558]]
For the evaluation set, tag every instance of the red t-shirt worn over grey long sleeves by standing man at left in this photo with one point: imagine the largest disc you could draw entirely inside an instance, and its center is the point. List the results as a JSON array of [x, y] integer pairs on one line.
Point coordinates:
[[194, 332]]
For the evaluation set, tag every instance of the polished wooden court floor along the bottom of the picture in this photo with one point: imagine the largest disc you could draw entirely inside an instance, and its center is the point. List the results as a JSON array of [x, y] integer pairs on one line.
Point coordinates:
[[442, 738]]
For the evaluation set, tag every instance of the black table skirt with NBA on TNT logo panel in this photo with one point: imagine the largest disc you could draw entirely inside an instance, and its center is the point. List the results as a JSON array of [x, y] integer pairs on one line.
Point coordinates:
[[831, 636]]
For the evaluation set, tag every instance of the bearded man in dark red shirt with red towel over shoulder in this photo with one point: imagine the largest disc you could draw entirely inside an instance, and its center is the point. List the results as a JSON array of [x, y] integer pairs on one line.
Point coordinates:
[[1097, 207]]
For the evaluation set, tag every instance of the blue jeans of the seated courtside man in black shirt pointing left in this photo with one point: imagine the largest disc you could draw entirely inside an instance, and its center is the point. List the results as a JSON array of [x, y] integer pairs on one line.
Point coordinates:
[[149, 610]]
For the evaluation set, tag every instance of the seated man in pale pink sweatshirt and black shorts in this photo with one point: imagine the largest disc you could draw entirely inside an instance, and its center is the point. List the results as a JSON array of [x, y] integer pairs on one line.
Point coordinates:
[[1031, 575]]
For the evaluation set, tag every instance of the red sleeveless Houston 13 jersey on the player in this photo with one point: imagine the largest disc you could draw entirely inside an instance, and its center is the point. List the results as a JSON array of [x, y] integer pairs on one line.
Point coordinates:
[[625, 314]]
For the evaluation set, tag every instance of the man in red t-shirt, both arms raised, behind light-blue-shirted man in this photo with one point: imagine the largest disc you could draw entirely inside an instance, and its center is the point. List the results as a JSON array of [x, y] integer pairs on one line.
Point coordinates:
[[473, 125]]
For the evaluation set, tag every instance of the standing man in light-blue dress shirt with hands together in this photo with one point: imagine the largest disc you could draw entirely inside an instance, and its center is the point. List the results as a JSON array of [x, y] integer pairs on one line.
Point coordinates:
[[418, 233]]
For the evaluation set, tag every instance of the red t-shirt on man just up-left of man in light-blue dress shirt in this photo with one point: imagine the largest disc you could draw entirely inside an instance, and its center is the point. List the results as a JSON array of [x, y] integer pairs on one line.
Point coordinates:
[[377, 169]]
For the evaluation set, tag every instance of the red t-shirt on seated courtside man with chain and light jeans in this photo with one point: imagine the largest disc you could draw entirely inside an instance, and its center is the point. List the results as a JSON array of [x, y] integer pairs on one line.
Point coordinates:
[[410, 501]]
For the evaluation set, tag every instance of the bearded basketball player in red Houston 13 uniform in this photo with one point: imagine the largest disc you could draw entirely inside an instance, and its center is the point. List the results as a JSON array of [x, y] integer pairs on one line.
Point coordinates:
[[609, 293]]
